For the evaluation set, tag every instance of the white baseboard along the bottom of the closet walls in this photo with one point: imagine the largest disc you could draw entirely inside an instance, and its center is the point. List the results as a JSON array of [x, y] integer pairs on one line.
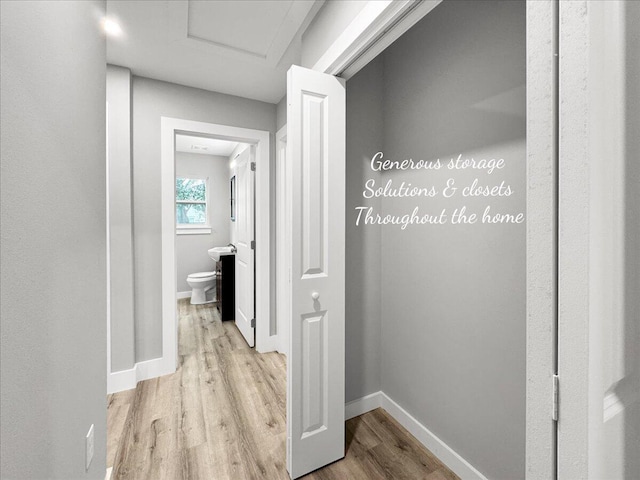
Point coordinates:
[[444, 452]]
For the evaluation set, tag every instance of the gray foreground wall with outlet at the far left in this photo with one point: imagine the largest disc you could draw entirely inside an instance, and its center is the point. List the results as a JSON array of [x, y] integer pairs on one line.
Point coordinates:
[[53, 241]]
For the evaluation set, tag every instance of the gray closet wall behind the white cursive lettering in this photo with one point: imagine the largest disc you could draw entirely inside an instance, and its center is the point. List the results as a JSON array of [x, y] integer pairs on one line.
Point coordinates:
[[452, 307]]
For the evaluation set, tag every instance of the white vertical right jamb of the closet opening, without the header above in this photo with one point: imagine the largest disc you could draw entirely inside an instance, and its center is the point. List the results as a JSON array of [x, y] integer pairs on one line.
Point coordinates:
[[542, 237]]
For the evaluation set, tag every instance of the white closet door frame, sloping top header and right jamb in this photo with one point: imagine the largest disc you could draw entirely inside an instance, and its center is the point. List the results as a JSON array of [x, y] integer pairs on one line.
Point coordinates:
[[376, 27]]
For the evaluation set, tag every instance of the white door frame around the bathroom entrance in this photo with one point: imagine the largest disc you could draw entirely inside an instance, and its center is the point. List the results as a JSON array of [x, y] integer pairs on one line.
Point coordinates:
[[260, 138]]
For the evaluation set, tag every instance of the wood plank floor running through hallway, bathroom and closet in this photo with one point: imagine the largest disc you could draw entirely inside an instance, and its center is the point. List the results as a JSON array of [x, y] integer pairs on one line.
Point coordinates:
[[222, 416]]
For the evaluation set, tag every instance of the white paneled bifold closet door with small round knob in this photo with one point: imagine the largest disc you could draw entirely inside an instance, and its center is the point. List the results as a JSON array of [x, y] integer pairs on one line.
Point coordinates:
[[315, 366]]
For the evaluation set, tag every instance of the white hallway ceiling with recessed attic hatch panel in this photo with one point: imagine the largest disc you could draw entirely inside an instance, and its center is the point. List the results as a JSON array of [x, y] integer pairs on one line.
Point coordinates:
[[241, 47]]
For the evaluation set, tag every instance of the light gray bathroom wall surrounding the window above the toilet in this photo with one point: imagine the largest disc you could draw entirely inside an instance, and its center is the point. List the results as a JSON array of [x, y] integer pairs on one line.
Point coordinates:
[[191, 250]]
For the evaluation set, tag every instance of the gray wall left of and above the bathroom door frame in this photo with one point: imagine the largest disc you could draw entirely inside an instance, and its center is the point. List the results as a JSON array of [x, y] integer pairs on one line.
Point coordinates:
[[152, 100]]
